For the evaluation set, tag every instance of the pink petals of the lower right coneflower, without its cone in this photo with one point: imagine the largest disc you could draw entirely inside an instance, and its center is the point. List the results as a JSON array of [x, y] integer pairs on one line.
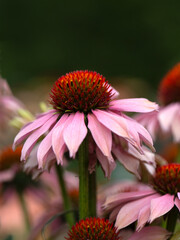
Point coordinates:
[[140, 203]]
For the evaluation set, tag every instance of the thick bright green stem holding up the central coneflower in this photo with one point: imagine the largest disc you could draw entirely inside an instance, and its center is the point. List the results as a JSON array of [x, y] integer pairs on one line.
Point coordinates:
[[83, 180]]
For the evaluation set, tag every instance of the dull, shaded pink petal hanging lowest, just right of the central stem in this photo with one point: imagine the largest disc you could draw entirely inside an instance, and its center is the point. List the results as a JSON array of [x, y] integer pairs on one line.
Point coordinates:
[[107, 166]]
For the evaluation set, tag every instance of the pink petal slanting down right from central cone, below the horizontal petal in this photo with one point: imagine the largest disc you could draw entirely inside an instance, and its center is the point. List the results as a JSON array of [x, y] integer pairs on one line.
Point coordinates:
[[114, 122]]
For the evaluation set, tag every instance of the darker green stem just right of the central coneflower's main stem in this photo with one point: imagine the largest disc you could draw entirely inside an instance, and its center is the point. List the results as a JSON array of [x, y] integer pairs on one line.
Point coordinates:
[[92, 194]]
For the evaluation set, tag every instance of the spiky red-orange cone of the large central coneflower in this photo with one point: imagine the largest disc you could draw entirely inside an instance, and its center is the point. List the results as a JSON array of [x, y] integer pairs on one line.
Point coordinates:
[[80, 91]]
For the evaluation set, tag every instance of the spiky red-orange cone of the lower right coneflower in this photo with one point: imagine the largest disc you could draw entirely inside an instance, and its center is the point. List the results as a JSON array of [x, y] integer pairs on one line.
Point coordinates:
[[167, 179]]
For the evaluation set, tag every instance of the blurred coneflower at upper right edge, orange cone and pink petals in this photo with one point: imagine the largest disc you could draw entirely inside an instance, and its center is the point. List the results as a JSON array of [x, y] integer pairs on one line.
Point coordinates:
[[168, 118]]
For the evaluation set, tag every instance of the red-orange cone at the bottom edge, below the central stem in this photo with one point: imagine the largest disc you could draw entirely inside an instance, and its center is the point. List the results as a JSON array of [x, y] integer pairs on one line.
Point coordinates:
[[92, 229]]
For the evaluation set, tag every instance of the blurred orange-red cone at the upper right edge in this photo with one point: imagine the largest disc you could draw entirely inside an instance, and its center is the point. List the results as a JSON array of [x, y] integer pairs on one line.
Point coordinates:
[[169, 88]]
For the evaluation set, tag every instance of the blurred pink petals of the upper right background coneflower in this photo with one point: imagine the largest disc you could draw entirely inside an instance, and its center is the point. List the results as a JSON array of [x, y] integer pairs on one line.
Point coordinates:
[[165, 121]]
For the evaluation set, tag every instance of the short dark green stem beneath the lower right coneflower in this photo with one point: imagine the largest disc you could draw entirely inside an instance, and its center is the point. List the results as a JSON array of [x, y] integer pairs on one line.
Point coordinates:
[[171, 219]]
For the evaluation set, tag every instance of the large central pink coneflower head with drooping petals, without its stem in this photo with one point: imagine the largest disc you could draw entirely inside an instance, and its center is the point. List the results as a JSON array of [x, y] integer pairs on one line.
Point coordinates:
[[83, 102]]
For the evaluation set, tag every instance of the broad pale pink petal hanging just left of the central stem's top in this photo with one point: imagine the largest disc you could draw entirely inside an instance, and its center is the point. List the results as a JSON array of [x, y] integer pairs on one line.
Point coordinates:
[[75, 132]]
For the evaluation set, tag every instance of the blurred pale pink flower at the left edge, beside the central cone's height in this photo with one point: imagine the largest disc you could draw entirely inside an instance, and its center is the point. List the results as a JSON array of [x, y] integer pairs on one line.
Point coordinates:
[[9, 105]]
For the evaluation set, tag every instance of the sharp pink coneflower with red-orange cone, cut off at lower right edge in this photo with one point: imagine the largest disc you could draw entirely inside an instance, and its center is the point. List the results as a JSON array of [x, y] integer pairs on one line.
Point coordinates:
[[144, 205]]
